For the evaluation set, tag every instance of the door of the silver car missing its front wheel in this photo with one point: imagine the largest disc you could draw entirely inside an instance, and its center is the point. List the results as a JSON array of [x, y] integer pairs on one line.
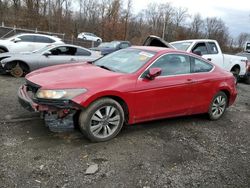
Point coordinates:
[[58, 55]]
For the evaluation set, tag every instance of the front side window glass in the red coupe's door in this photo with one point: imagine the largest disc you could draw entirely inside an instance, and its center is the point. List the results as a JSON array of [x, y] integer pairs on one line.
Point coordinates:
[[173, 64]]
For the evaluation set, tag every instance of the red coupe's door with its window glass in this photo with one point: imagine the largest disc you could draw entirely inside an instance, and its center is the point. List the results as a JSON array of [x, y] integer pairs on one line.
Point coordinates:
[[168, 94]]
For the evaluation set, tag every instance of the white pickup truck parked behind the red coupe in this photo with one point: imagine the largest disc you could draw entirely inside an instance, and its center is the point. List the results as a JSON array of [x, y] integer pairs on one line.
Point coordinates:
[[210, 50]]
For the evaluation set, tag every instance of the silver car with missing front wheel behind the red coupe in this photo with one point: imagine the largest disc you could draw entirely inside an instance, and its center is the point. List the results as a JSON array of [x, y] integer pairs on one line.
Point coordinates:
[[19, 64]]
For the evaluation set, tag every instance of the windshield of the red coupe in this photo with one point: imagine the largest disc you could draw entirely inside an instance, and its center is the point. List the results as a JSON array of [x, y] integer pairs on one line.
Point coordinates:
[[125, 61]]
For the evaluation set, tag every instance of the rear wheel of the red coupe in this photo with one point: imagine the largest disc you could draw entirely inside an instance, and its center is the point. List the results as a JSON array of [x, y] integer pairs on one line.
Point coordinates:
[[218, 106]]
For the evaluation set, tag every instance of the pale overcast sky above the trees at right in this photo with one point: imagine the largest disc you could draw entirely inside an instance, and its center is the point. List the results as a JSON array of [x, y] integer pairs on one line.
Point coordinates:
[[235, 13]]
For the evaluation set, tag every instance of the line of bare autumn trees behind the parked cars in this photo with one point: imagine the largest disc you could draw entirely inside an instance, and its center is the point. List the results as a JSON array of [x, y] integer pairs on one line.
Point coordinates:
[[115, 20]]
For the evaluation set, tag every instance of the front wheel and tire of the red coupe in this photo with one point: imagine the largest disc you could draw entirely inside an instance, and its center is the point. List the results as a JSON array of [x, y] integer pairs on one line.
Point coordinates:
[[102, 120]]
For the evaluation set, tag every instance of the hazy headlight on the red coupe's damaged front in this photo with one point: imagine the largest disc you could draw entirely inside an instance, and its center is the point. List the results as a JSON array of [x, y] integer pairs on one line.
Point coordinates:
[[59, 94]]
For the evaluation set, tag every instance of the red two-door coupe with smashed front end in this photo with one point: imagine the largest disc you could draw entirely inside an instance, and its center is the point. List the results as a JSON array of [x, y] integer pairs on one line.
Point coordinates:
[[132, 85]]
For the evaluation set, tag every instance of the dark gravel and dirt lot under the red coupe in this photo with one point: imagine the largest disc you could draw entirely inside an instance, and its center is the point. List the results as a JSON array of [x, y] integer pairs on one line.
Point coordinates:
[[181, 152]]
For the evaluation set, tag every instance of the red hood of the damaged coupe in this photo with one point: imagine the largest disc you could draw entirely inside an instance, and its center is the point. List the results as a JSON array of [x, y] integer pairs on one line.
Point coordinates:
[[77, 75]]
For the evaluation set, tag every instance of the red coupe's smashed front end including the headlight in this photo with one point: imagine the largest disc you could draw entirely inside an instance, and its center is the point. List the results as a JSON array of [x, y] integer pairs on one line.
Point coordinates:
[[55, 106]]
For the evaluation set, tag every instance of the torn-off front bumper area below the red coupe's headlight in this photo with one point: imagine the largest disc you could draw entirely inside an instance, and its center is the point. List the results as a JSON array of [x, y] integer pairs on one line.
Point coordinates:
[[58, 114]]
